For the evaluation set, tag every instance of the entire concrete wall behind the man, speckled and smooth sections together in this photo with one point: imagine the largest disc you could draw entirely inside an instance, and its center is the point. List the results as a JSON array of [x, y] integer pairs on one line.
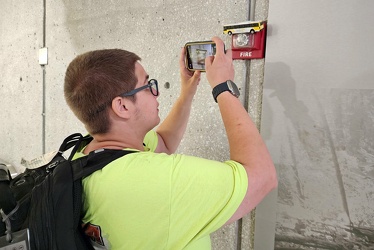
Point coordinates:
[[317, 114]]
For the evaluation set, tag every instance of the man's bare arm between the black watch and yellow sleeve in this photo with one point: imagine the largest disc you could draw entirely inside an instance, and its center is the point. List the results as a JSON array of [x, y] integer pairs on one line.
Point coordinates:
[[247, 148]]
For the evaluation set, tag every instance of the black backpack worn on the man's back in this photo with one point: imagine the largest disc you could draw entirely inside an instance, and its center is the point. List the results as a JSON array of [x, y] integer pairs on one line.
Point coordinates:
[[46, 203]]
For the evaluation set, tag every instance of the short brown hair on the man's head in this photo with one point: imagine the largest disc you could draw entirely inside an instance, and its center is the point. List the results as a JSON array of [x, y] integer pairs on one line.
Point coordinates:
[[93, 79]]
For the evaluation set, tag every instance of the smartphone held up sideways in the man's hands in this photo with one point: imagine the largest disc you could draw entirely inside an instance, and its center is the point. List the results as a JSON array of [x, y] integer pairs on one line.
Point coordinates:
[[196, 52]]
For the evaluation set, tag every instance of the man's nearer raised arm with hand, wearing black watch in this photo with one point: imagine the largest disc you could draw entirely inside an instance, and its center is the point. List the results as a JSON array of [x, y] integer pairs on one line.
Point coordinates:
[[245, 142]]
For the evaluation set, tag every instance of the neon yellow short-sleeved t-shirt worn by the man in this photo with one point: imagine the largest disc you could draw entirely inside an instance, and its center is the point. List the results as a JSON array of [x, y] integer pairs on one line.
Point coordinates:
[[147, 200]]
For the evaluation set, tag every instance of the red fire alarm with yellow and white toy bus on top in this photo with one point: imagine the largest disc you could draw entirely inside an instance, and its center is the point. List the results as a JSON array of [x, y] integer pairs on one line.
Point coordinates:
[[248, 39]]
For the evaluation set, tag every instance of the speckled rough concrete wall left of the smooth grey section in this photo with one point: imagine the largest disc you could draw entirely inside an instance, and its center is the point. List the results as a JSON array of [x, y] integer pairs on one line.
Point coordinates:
[[34, 116]]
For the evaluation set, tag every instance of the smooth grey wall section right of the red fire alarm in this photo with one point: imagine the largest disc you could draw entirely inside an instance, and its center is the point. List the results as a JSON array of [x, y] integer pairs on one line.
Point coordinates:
[[318, 118]]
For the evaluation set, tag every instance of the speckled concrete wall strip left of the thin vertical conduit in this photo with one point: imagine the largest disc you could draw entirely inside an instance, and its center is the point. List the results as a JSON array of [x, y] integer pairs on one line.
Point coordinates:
[[21, 80]]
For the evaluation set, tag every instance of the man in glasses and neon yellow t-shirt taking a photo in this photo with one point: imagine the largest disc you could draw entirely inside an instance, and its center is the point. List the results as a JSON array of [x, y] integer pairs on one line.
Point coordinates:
[[154, 199]]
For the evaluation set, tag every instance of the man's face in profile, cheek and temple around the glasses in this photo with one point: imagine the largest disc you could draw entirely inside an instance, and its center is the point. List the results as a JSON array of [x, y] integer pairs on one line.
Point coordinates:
[[146, 103]]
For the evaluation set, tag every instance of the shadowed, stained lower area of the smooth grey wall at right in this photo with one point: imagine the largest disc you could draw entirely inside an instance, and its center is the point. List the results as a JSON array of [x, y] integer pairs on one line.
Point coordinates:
[[320, 137]]
